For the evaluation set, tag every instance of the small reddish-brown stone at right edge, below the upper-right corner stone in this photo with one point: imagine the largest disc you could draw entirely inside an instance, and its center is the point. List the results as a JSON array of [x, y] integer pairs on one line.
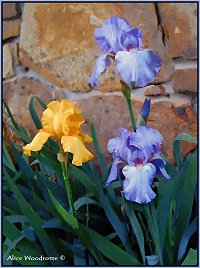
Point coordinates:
[[185, 80]]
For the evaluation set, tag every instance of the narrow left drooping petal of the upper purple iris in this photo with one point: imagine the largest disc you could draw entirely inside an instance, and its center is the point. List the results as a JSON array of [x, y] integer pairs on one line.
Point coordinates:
[[99, 68]]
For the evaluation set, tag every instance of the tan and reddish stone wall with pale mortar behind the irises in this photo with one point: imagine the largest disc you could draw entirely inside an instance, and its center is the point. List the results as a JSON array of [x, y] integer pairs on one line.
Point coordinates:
[[49, 51]]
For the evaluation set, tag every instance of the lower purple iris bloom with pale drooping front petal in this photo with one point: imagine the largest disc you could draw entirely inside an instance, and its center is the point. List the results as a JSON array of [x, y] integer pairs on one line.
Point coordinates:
[[138, 154]]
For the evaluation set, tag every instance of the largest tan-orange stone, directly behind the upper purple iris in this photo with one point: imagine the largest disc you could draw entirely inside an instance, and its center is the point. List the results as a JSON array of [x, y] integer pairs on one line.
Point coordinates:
[[57, 40]]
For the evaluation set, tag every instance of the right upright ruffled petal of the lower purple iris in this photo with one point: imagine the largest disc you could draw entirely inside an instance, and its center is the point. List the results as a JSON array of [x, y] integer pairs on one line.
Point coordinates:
[[149, 138]]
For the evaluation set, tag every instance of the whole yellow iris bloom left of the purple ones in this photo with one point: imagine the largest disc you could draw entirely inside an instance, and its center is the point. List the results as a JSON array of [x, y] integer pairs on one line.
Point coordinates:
[[62, 120]]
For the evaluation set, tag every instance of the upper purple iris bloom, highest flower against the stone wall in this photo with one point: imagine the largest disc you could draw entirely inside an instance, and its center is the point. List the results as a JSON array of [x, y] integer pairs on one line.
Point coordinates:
[[122, 44]]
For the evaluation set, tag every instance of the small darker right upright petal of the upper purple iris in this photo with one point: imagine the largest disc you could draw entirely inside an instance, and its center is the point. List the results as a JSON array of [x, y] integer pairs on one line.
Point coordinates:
[[132, 39]]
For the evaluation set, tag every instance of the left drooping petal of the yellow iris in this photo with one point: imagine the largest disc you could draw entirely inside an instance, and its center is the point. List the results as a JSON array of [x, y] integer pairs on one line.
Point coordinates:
[[38, 141]]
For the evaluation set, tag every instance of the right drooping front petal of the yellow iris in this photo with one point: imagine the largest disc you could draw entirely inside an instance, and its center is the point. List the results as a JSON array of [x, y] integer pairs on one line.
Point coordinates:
[[75, 146]]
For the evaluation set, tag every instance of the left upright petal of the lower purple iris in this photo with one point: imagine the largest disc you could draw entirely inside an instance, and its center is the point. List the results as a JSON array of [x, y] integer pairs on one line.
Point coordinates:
[[118, 146]]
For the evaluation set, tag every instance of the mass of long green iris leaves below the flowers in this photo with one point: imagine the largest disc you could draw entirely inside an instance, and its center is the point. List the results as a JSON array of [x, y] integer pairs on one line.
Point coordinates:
[[110, 230]]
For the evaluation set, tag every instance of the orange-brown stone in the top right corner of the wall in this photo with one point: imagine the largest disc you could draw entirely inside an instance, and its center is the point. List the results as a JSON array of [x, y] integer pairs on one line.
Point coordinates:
[[179, 21]]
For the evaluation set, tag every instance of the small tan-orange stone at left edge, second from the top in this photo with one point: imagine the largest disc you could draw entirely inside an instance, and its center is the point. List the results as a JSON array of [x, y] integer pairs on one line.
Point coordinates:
[[11, 29]]
